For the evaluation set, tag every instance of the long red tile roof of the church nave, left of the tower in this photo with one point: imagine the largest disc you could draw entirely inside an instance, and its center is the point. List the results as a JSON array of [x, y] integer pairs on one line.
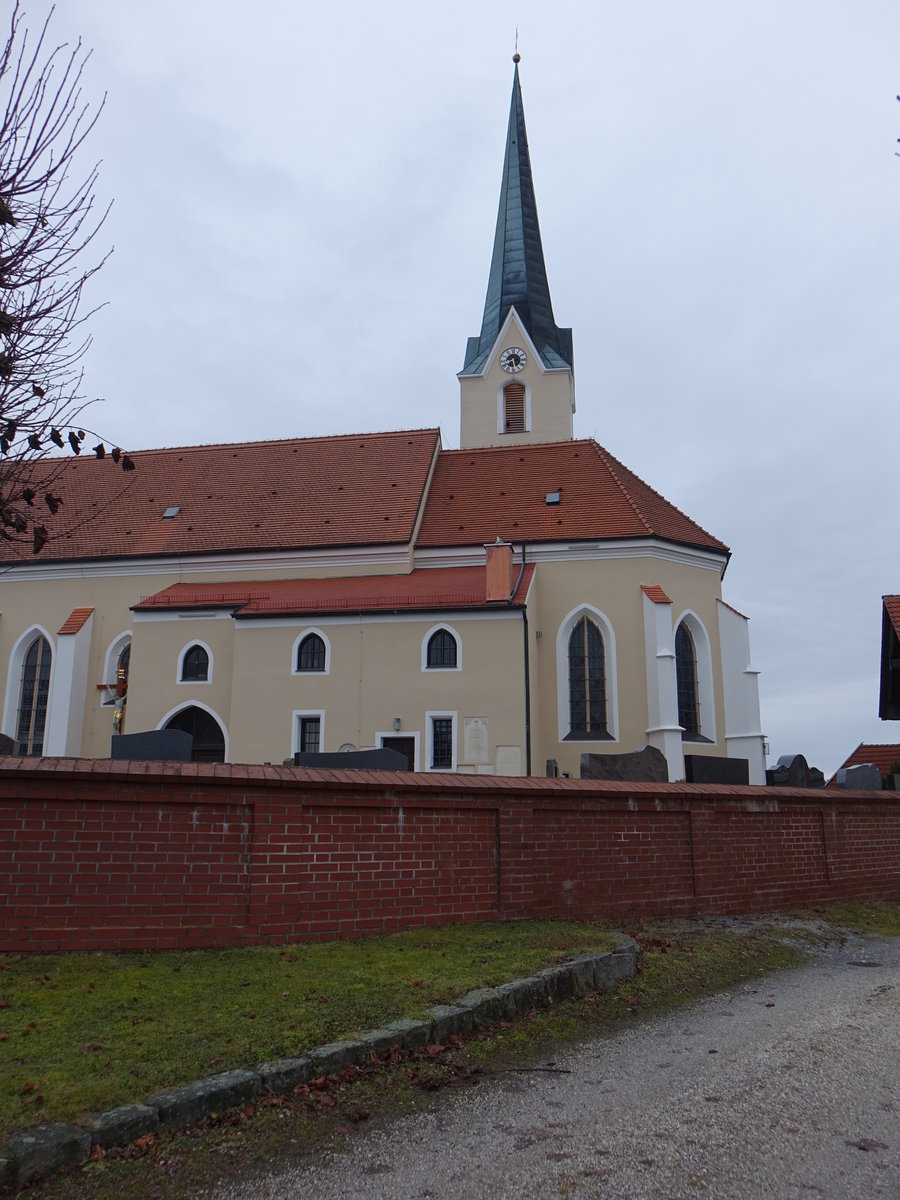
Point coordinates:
[[309, 493]]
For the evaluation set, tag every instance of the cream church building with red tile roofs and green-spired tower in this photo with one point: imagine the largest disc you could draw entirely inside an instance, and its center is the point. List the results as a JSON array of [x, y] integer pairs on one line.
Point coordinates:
[[525, 598]]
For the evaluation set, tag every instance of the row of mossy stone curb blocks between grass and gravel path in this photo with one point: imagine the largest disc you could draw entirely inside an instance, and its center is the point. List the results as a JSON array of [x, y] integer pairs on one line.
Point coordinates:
[[57, 1145]]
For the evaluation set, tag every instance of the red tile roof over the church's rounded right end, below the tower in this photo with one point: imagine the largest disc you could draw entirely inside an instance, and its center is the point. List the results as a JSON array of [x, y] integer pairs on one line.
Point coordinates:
[[501, 491]]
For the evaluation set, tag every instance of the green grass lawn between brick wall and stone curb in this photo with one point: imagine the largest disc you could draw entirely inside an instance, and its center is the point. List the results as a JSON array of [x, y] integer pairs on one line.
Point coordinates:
[[82, 1033]]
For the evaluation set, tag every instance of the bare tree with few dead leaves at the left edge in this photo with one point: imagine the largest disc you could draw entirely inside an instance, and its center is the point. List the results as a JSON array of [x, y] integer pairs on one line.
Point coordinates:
[[49, 221]]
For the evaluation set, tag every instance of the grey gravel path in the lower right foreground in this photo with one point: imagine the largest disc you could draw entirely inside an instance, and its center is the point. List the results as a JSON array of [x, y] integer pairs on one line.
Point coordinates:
[[784, 1089]]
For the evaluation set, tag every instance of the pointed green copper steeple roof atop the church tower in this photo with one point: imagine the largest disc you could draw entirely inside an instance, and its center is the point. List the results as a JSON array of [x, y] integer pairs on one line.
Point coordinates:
[[519, 278]]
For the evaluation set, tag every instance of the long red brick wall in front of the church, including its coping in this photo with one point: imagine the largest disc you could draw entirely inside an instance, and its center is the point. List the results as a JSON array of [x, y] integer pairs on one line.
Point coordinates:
[[133, 856]]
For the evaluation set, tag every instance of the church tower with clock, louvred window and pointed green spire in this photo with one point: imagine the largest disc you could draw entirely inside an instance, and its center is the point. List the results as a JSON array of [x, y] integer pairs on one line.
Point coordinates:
[[518, 383]]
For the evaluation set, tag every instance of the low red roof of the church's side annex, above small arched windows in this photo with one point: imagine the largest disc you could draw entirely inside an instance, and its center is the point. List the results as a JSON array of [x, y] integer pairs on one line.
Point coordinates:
[[454, 587]]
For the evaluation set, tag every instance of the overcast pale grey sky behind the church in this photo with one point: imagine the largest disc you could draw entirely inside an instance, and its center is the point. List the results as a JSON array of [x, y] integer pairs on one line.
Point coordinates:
[[305, 199]]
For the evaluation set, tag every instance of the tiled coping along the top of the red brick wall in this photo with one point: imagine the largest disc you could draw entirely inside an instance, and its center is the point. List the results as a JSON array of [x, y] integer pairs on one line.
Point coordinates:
[[271, 778]]
